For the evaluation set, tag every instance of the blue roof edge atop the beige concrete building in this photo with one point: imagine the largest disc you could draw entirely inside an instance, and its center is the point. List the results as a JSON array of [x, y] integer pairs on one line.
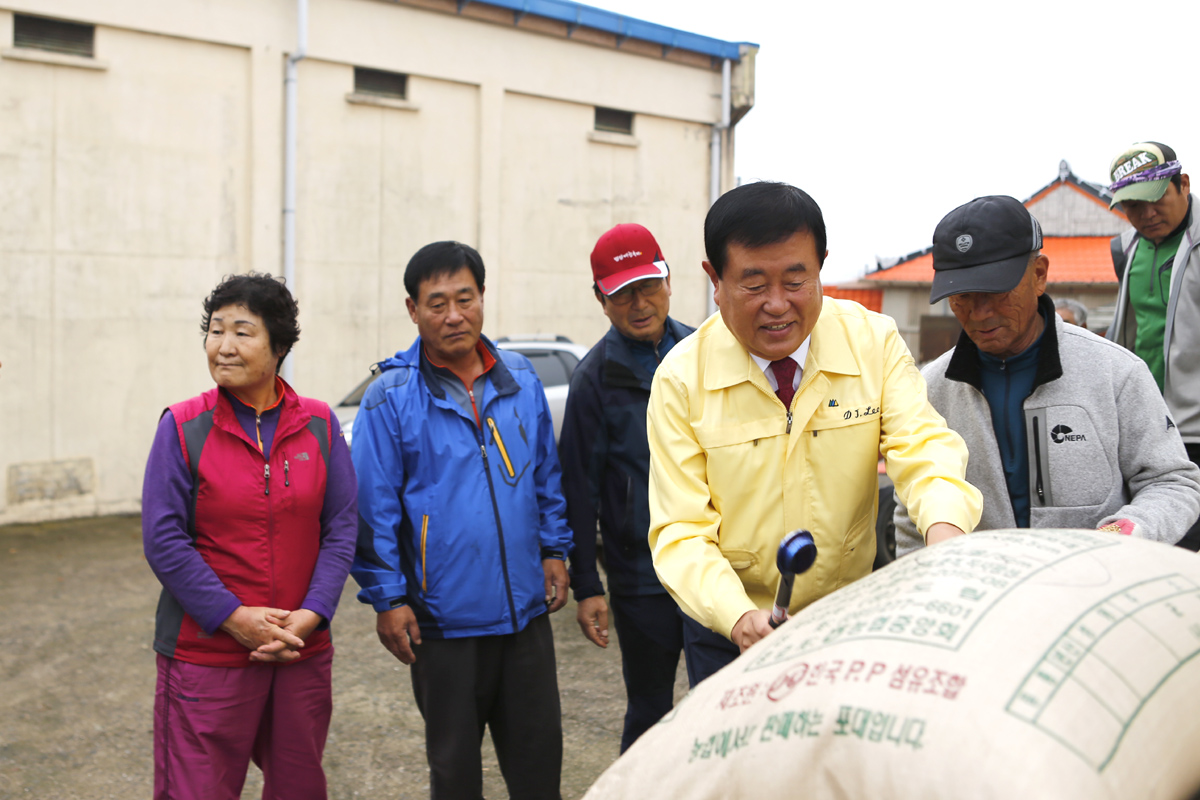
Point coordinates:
[[577, 14]]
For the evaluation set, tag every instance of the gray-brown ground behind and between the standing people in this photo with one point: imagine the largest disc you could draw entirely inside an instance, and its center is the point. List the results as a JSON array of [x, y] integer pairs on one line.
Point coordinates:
[[77, 604]]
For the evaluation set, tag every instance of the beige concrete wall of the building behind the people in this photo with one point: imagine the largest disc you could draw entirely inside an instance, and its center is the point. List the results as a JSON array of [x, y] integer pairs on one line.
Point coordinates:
[[135, 181]]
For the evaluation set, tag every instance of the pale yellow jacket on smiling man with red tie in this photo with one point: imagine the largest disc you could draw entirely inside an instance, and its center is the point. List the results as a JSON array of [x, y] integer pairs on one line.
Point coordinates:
[[733, 471]]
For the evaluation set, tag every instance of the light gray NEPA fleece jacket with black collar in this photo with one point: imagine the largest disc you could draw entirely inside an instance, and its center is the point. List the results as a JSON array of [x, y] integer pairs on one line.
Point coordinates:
[[1102, 446]]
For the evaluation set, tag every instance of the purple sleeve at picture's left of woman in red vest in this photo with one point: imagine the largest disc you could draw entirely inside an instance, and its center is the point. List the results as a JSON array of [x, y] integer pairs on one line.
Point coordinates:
[[170, 550]]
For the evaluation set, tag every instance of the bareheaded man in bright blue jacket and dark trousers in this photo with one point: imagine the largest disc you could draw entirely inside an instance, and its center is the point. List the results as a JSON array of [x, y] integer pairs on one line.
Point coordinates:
[[463, 537]]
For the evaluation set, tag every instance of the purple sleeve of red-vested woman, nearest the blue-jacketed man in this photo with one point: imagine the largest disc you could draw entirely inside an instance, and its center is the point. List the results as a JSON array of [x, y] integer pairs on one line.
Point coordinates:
[[339, 531]]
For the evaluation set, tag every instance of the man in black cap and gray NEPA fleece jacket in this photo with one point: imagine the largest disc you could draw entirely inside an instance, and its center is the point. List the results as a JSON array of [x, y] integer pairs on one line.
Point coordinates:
[[1065, 430]]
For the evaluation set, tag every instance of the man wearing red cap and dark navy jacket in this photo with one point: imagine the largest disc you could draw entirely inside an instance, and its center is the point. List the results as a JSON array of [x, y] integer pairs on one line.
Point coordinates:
[[607, 470]]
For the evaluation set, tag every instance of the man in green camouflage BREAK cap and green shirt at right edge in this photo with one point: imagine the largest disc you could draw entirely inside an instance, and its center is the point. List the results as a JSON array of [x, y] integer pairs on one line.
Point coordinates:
[[1159, 266]]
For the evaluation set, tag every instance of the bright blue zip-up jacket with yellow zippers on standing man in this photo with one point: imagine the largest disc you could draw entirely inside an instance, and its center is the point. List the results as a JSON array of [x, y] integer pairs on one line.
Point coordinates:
[[454, 519]]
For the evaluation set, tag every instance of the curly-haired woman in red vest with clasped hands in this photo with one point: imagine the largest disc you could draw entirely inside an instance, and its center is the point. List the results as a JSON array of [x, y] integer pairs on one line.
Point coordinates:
[[249, 515]]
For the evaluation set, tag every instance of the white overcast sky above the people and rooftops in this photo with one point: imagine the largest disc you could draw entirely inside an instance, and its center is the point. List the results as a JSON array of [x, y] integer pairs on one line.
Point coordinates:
[[892, 115]]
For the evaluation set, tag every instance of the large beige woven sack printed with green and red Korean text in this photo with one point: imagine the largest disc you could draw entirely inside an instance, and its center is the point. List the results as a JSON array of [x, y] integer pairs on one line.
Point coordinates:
[[1015, 665]]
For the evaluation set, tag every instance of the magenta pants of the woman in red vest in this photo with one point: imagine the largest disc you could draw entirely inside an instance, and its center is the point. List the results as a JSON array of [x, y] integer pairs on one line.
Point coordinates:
[[209, 723]]
